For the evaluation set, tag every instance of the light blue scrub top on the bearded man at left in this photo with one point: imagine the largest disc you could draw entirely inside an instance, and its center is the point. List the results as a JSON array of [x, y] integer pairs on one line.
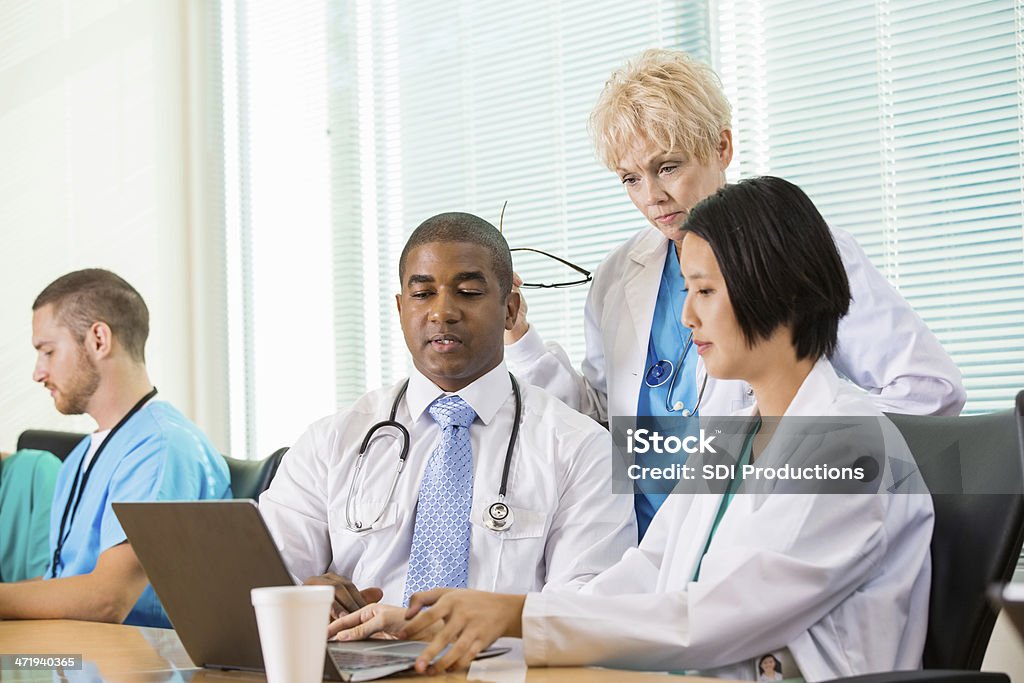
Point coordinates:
[[158, 455]]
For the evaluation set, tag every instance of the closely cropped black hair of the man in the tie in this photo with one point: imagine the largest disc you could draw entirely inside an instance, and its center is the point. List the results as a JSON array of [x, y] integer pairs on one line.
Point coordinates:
[[457, 227]]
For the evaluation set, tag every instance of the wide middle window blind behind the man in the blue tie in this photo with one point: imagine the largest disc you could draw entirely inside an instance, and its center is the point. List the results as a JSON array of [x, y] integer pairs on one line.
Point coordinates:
[[461, 107]]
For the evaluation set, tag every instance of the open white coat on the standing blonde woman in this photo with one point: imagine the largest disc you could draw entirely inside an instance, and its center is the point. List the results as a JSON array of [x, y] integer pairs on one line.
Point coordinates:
[[884, 347]]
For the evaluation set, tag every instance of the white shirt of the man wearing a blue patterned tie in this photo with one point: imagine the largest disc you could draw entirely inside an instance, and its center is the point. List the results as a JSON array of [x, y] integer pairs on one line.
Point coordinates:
[[568, 525]]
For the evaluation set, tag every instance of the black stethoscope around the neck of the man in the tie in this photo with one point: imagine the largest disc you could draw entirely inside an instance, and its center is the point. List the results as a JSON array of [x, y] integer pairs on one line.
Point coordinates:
[[499, 517]]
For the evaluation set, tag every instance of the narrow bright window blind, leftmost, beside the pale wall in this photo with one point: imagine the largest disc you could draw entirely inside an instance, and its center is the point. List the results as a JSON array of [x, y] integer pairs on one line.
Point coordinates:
[[274, 75]]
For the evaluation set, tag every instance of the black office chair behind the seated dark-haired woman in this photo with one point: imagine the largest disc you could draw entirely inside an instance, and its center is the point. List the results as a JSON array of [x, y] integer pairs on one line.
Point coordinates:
[[974, 466]]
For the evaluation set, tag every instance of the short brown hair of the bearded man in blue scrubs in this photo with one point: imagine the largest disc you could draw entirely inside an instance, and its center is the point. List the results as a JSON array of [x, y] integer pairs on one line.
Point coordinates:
[[95, 295]]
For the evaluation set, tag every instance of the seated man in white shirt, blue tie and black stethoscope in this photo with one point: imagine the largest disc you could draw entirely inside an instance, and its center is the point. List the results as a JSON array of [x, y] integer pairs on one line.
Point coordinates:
[[452, 517]]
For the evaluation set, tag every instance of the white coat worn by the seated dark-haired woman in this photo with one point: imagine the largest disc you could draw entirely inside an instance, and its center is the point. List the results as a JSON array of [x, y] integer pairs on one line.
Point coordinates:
[[842, 581]]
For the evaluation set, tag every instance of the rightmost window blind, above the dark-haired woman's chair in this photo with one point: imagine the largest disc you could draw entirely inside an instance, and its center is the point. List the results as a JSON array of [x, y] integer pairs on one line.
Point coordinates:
[[903, 120]]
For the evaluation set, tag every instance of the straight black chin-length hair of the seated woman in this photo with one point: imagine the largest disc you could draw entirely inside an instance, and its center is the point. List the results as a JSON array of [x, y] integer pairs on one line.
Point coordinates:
[[779, 261]]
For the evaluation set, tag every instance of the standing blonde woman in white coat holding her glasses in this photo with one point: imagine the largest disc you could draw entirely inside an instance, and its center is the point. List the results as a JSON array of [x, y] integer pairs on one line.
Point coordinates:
[[663, 125]]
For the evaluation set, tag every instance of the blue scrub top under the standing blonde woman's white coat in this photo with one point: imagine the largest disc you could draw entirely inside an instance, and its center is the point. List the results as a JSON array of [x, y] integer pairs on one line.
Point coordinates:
[[668, 337]]
